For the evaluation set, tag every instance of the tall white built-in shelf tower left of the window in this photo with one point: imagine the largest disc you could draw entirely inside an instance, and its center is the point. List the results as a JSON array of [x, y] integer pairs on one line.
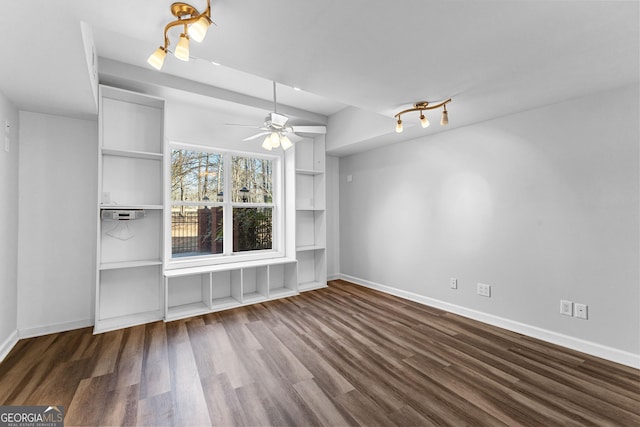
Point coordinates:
[[130, 176]]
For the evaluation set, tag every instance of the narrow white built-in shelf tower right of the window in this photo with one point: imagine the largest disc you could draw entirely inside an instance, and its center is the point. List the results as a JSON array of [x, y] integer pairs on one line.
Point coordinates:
[[310, 213]]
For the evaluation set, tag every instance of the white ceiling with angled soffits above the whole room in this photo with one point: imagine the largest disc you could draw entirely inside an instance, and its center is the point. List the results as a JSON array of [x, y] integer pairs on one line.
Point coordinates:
[[492, 57]]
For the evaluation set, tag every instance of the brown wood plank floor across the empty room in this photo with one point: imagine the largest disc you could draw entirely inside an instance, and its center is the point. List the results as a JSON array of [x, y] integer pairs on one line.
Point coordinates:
[[344, 355]]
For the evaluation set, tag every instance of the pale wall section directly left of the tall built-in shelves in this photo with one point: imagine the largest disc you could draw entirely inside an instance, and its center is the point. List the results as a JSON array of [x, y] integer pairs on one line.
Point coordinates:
[[57, 231]]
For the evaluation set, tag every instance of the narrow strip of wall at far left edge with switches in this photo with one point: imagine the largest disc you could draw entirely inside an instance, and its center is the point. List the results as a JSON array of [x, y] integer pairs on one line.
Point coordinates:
[[8, 227]]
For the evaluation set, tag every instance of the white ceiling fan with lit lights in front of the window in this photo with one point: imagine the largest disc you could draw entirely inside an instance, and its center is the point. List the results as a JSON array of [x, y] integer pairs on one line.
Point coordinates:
[[276, 129]]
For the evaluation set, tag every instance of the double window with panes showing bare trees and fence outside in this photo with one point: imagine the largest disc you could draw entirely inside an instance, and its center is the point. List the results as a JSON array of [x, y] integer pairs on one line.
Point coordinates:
[[222, 203]]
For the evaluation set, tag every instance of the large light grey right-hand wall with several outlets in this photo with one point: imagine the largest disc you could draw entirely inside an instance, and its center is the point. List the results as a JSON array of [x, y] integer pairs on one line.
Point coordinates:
[[542, 205]]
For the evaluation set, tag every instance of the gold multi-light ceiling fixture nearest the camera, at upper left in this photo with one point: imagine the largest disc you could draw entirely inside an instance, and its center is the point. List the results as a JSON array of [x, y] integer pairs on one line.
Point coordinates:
[[195, 26]]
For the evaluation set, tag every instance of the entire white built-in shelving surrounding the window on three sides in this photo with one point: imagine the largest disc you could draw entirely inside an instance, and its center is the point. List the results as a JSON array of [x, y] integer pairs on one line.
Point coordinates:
[[134, 285]]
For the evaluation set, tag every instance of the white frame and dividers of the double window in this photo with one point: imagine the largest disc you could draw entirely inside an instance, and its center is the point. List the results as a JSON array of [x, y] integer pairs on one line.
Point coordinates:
[[277, 207]]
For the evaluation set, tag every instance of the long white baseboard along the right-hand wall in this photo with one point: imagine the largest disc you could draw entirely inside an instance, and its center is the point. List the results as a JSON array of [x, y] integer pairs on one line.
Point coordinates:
[[588, 347]]
